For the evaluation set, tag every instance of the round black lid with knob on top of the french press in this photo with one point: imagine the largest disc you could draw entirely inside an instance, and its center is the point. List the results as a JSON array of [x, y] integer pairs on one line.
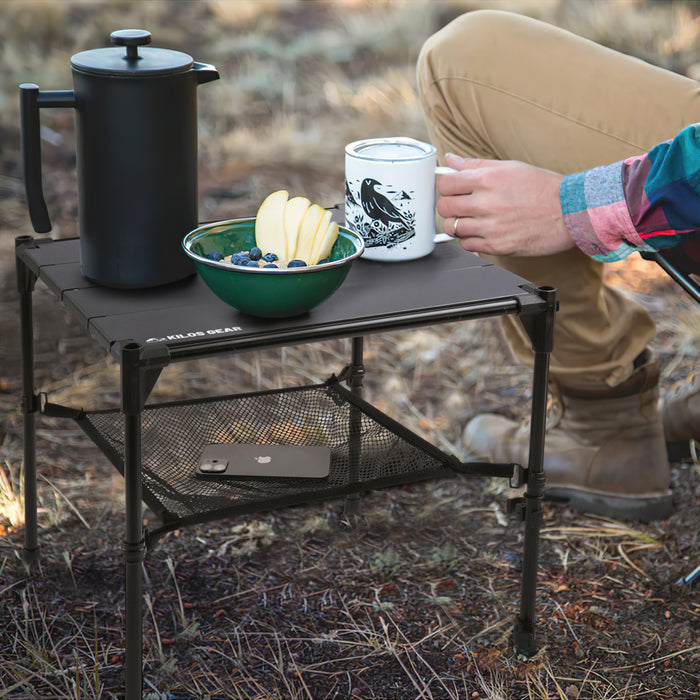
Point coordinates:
[[134, 61]]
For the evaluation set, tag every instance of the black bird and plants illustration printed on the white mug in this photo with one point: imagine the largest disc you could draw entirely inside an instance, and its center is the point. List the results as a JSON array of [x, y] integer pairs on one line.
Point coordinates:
[[383, 217]]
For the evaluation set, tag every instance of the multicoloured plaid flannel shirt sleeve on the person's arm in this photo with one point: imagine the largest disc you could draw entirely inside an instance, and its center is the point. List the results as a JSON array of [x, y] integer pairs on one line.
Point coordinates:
[[646, 202]]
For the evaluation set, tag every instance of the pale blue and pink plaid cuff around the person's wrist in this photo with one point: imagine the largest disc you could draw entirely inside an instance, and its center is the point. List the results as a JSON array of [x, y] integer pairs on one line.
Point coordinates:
[[596, 214]]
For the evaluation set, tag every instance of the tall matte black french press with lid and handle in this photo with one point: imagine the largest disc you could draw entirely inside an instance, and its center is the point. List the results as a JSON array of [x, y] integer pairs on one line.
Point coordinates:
[[136, 150]]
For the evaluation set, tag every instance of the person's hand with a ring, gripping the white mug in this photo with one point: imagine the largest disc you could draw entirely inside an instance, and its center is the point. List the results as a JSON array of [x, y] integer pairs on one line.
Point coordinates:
[[503, 207]]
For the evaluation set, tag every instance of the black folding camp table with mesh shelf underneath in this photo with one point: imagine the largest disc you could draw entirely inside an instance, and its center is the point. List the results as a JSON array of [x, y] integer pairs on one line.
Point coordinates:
[[156, 446]]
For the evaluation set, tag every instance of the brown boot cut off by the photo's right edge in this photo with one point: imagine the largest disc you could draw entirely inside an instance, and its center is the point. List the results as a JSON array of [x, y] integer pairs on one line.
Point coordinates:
[[680, 414]]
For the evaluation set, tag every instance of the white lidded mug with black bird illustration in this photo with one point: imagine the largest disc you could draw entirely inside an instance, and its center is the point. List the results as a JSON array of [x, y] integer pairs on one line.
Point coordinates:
[[390, 197]]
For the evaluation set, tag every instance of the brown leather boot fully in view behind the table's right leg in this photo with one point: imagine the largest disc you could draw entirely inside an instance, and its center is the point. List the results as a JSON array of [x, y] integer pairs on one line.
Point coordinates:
[[605, 451]]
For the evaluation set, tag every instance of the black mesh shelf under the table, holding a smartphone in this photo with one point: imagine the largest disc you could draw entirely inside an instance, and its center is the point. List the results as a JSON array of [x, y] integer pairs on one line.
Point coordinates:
[[368, 449]]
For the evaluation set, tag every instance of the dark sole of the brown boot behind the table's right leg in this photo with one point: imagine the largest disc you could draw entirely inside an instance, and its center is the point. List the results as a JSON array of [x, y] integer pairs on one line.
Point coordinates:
[[642, 509]]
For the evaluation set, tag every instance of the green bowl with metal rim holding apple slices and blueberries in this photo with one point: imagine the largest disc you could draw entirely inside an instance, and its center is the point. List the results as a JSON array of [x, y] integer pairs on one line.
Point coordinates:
[[267, 292]]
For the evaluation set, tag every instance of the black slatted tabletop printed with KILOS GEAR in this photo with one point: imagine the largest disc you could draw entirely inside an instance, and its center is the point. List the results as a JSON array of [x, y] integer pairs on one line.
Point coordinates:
[[187, 318]]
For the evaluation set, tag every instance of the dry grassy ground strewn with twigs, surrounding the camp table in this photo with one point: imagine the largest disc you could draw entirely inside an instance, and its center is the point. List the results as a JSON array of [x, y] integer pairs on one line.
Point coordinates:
[[417, 601]]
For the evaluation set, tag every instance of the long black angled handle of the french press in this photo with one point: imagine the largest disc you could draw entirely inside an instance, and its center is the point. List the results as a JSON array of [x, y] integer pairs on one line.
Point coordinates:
[[31, 99]]
